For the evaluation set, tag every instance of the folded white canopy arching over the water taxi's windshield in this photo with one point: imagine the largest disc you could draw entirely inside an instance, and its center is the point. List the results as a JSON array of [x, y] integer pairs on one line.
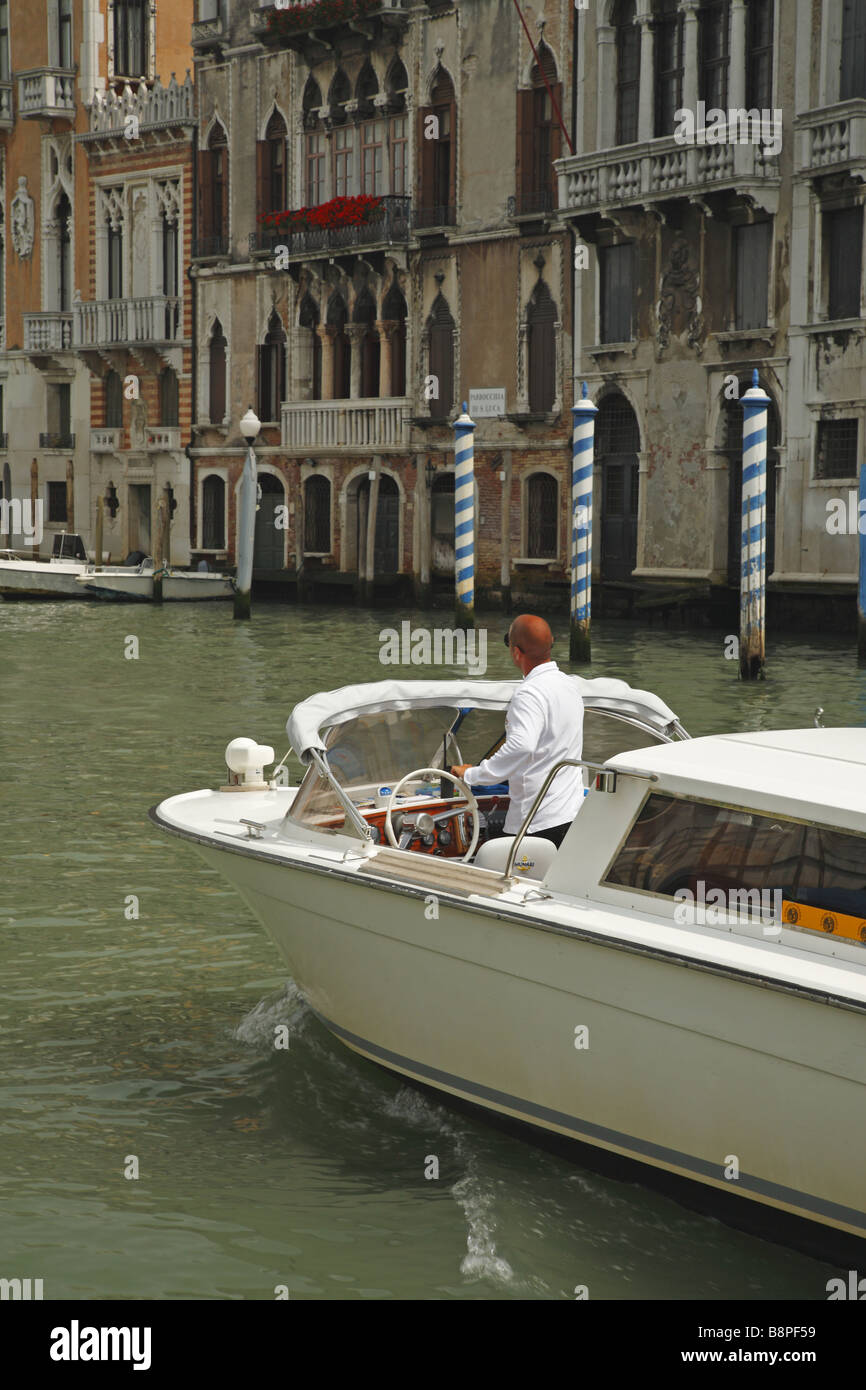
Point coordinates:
[[315, 717]]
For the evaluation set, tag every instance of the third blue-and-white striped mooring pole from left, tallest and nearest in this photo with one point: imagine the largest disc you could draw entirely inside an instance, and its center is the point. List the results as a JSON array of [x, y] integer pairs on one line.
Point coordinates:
[[754, 534]]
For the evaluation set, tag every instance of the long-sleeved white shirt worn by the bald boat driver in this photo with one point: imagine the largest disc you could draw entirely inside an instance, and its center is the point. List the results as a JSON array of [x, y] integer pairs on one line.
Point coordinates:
[[544, 723]]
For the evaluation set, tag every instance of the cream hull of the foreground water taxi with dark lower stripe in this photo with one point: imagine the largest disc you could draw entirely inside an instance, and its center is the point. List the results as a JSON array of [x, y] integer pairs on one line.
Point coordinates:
[[747, 1089]]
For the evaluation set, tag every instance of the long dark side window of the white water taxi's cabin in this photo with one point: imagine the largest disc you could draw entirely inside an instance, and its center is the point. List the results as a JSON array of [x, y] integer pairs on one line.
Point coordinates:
[[676, 844]]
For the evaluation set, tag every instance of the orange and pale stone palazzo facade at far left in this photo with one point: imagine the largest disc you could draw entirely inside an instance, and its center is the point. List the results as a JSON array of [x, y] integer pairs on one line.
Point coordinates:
[[65, 95]]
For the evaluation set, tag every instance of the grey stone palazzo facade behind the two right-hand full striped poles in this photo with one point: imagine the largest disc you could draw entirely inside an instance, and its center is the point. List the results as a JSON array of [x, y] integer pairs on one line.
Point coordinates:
[[733, 250]]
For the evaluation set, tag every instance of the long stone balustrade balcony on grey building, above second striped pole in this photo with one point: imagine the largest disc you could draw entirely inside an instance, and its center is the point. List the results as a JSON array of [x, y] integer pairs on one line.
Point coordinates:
[[660, 172]]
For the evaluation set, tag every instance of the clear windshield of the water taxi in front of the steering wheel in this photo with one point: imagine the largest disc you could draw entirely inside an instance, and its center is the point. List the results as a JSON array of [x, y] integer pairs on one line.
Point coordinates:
[[376, 751]]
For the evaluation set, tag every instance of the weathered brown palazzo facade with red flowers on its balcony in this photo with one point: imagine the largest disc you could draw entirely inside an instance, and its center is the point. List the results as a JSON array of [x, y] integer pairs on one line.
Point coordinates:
[[465, 276]]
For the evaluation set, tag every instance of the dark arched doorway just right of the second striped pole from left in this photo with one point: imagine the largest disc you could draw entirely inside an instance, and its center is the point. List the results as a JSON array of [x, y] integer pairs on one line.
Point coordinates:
[[618, 441]]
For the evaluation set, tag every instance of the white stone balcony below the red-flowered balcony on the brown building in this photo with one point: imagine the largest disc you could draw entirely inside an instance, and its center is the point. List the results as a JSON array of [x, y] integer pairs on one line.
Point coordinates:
[[347, 425]]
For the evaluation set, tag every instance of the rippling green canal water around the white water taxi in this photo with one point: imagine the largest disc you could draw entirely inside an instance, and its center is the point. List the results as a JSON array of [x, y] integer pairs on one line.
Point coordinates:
[[154, 1038]]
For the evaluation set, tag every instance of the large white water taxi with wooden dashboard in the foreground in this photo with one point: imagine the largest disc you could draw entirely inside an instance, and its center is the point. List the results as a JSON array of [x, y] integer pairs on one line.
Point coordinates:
[[682, 983]]
